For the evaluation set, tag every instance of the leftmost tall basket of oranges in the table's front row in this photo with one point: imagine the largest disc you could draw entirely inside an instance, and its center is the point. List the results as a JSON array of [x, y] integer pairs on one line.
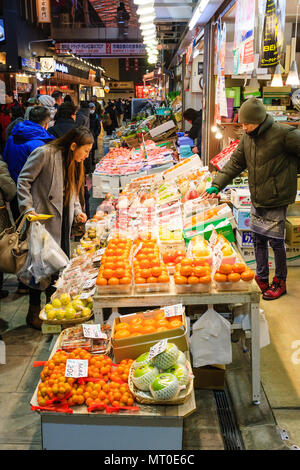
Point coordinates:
[[115, 274]]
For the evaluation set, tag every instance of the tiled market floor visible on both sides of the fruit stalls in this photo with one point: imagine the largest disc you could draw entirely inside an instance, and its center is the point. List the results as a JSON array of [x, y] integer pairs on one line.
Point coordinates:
[[259, 426]]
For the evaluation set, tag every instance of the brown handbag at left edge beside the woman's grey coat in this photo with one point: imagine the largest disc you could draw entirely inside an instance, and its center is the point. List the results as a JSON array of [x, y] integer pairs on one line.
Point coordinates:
[[13, 247]]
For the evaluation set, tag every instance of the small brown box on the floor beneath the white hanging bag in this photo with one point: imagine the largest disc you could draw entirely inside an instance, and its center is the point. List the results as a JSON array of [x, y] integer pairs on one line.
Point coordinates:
[[210, 377]]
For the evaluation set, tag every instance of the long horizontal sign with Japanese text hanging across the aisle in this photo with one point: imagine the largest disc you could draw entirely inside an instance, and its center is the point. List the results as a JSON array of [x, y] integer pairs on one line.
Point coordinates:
[[101, 49]]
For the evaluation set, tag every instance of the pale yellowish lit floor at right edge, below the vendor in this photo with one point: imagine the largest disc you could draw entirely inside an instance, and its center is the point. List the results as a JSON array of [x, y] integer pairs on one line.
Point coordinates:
[[280, 361]]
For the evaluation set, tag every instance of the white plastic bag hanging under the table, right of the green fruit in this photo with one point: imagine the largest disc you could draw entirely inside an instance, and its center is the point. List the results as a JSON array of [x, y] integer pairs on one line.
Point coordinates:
[[210, 342]]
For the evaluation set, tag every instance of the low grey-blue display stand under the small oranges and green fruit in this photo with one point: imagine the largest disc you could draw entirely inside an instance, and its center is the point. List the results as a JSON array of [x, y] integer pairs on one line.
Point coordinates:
[[152, 427]]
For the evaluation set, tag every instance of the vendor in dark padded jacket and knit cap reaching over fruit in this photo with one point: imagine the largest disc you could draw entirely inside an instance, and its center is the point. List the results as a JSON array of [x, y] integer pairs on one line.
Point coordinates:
[[271, 152]]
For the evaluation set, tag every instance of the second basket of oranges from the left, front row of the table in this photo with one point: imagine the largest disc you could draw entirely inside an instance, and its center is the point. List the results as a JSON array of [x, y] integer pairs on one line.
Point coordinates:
[[150, 272]]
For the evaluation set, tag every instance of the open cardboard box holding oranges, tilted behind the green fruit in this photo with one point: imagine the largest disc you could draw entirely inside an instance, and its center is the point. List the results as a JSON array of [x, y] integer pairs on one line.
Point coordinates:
[[131, 348]]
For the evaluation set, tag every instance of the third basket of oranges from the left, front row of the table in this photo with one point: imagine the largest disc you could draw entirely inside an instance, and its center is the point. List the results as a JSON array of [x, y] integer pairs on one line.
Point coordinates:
[[192, 275]]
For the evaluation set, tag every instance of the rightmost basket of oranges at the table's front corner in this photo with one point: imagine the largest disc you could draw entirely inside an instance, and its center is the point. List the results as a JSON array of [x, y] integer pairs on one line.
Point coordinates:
[[233, 277]]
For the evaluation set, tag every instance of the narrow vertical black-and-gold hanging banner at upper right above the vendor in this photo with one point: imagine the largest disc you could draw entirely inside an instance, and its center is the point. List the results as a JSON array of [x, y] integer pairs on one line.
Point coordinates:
[[272, 31]]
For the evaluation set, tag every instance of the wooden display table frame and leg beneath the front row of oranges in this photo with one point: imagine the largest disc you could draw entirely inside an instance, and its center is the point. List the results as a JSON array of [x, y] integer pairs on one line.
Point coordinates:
[[251, 298]]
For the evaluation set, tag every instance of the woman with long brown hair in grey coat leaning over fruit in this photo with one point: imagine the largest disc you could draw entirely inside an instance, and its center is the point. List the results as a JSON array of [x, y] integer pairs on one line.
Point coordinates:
[[50, 183]]
